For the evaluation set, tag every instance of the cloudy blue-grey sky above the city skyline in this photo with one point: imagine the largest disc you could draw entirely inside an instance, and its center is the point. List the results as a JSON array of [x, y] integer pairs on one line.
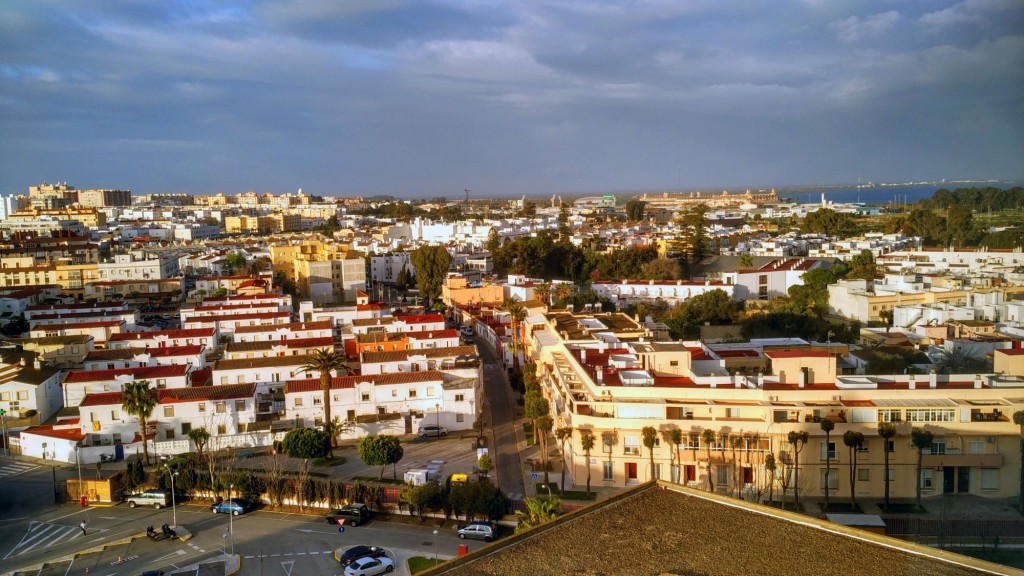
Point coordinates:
[[425, 99]]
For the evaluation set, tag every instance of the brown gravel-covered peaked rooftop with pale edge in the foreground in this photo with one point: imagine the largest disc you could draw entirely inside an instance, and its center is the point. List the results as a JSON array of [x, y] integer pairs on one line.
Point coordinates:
[[663, 529]]
